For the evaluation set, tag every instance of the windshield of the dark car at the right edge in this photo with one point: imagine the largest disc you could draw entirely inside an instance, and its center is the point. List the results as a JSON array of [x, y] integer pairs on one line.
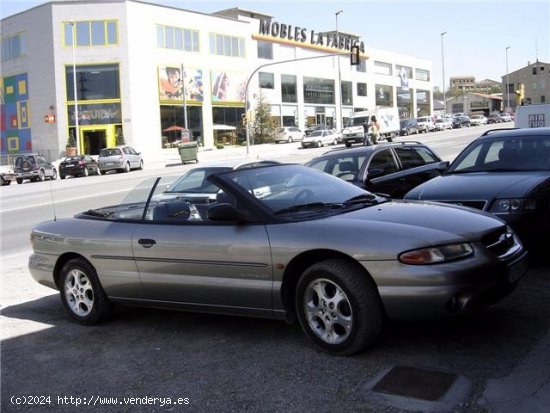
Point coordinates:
[[506, 154]]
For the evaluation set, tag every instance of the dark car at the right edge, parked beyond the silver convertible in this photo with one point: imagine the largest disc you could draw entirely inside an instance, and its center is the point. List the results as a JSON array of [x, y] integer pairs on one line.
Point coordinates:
[[505, 172]]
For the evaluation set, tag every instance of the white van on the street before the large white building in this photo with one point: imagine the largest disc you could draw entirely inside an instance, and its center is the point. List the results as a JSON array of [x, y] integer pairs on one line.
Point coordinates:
[[388, 118]]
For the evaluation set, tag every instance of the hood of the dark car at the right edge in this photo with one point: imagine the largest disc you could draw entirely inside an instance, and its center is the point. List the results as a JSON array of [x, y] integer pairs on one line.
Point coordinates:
[[477, 186]]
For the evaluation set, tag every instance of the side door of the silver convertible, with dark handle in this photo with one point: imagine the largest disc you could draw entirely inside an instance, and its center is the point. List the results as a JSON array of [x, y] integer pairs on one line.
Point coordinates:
[[205, 265]]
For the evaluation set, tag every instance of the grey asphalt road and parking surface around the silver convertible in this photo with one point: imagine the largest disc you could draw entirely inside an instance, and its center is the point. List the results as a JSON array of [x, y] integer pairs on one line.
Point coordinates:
[[155, 361]]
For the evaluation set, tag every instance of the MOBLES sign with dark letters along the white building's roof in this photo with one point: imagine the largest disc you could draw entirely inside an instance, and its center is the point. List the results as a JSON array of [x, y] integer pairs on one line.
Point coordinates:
[[303, 35]]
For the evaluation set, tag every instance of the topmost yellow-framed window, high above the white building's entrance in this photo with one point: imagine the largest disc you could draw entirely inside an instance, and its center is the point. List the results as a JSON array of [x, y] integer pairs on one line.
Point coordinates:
[[91, 33]]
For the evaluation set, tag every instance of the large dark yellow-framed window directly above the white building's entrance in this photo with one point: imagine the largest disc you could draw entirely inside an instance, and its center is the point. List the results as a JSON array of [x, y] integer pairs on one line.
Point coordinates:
[[93, 82]]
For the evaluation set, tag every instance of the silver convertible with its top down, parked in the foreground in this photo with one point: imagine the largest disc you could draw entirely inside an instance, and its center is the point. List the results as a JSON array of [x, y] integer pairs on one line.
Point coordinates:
[[279, 241]]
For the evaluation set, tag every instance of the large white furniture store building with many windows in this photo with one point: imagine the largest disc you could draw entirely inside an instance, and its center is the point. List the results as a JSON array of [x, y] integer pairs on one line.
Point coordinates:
[[102, 70]]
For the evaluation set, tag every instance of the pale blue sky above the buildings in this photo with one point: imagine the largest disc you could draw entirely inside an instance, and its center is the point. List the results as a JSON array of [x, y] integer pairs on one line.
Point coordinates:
[[477, 32]]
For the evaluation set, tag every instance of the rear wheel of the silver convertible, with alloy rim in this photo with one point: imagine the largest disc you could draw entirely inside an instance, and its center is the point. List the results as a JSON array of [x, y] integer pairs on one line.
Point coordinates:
[[82, 294]]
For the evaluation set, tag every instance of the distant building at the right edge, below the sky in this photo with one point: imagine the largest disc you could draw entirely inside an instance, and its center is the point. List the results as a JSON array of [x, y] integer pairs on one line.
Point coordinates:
[[530, 84]]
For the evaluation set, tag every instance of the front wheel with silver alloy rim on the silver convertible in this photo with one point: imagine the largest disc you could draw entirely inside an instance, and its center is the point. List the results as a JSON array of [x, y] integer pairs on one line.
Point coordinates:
[[338, 307]]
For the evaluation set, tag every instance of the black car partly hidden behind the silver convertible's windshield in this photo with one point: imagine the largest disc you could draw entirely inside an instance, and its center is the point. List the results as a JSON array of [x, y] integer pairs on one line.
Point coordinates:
[[390, 168]]
